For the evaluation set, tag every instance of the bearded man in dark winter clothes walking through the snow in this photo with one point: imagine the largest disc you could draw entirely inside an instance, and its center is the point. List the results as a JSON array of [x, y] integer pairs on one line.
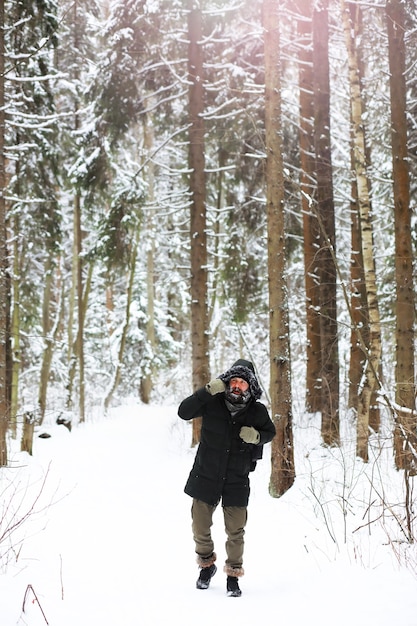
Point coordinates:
[[235, 425]]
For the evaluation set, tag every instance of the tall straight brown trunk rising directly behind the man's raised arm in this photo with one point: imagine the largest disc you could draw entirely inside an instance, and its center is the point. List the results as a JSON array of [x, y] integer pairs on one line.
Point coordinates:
[[199, 313]]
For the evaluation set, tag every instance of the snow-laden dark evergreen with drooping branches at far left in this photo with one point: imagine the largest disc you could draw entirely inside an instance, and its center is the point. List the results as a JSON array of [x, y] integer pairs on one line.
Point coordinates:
[[31, 137]]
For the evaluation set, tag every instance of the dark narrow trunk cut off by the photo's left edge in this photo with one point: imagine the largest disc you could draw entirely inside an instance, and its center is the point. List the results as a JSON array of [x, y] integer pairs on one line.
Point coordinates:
[[4, 294]]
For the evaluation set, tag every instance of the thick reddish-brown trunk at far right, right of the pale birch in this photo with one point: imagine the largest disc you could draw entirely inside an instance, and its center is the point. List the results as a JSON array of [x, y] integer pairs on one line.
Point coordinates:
[[405, 431]]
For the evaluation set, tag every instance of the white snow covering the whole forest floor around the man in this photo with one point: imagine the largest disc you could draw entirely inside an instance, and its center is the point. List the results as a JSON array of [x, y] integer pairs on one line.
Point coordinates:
[[108, 542]]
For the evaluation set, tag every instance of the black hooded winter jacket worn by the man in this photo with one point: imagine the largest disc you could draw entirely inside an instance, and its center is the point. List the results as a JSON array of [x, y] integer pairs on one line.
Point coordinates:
[[223, 461]]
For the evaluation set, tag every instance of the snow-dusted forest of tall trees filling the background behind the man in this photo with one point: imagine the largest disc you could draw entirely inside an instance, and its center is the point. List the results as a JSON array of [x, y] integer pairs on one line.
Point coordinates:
[[186, 182]]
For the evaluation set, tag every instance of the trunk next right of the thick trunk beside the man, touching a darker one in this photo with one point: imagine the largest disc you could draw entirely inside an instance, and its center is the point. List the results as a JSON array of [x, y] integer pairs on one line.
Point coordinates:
[[310, 224]]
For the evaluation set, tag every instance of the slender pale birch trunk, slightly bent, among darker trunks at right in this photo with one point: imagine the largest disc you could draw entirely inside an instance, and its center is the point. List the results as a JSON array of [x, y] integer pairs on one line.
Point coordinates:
[[370, 375]]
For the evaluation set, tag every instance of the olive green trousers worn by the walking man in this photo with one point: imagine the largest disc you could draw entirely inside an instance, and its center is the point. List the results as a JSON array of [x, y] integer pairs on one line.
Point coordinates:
[[235, 518]]
